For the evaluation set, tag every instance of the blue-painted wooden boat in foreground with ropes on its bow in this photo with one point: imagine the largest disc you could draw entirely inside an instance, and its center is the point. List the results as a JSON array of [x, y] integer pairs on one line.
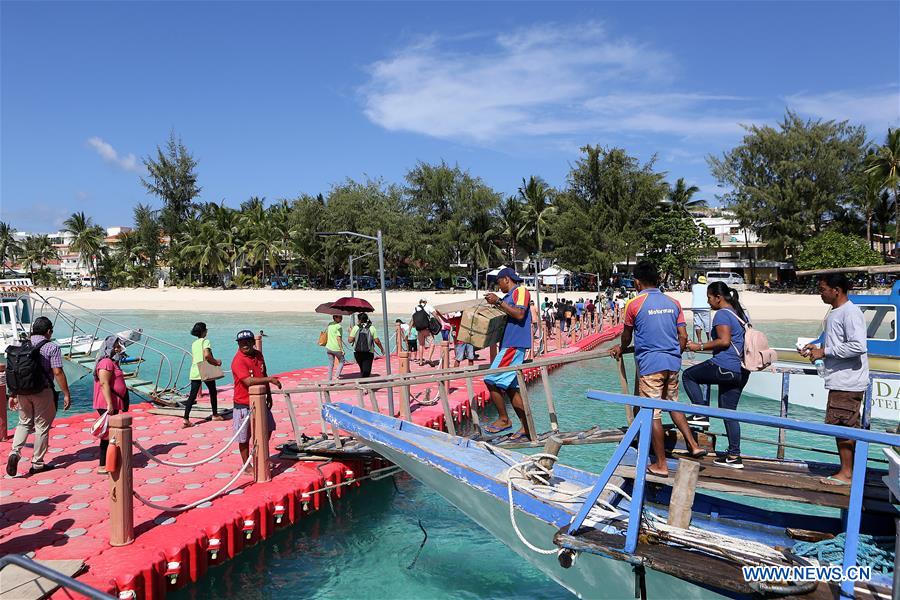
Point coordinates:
[[629, 534]]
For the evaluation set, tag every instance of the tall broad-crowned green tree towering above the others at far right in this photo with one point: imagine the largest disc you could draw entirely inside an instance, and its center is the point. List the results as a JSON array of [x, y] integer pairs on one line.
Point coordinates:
[[792, 177]]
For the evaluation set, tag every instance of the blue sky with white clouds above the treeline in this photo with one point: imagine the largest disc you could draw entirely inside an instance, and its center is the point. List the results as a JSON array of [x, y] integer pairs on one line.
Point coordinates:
[[275, 99]]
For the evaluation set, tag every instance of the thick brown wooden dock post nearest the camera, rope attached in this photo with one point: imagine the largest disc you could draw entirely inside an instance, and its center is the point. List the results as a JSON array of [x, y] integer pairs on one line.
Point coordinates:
[[121, 490]]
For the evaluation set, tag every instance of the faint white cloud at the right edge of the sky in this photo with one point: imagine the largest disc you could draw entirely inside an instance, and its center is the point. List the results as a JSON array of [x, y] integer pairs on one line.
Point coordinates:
[[877, 108]]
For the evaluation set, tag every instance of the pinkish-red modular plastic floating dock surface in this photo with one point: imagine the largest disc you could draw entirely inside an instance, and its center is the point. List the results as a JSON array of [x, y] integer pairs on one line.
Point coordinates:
[[63, 514]]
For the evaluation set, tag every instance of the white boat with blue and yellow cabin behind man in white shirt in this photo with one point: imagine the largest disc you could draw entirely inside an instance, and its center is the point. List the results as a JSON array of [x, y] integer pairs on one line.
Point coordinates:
[[808, 390]]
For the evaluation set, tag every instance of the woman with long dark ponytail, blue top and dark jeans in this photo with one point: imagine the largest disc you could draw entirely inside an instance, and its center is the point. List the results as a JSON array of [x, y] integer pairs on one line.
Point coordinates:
[[724, 368]]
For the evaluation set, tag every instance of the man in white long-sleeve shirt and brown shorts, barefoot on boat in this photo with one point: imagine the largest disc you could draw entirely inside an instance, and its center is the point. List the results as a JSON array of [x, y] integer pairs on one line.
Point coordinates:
[[845, 355]]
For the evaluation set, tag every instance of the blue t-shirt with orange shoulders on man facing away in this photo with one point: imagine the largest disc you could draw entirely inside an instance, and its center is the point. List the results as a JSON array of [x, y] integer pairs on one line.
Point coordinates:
[[655, 318]]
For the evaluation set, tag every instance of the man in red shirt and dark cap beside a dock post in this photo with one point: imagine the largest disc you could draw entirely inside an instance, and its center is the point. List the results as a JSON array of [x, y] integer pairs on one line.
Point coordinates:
[[248, 367]]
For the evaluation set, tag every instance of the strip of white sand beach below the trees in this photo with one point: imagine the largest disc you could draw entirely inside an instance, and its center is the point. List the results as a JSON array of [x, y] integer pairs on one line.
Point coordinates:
[[762, 307]]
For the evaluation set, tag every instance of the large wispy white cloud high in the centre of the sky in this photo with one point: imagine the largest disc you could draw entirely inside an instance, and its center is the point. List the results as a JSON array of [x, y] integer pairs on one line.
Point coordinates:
[[547, 81]]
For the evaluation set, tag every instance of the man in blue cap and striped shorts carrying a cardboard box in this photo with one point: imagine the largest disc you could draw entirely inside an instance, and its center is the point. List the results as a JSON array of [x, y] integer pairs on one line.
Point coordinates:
[[515, 342]]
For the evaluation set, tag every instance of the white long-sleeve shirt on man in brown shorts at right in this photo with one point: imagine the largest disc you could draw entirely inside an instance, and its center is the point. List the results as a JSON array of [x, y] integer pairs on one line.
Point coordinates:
[[846, 357]]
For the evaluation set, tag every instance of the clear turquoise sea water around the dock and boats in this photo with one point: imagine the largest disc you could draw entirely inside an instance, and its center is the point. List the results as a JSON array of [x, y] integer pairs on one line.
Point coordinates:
[[367, 547]]
